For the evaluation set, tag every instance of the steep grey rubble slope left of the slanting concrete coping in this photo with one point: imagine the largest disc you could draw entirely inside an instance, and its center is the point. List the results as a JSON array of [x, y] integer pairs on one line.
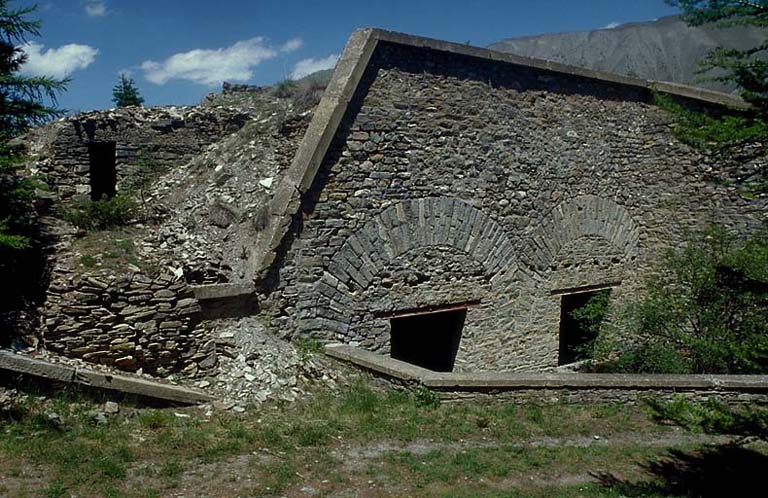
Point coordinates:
[[216, 203]]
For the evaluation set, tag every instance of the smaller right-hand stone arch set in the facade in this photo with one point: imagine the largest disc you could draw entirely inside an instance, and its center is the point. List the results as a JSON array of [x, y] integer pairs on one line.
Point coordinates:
[[583, 216]]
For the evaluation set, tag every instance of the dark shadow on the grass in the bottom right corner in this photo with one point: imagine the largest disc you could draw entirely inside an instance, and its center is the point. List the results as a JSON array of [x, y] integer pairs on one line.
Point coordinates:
[[711, 472]]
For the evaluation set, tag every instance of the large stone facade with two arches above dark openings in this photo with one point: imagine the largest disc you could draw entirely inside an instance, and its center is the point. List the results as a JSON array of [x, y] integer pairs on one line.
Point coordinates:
[[455, 179]]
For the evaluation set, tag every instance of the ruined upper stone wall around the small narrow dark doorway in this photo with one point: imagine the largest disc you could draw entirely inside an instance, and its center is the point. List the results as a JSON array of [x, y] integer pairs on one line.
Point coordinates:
[[152, 138]]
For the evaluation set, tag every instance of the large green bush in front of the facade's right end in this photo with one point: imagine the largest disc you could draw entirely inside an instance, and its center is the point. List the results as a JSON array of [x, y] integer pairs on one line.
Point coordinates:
[[705, 313]]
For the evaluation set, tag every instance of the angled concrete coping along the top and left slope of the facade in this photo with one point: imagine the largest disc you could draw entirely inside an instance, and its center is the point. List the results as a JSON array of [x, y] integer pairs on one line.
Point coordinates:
[[353, 62]]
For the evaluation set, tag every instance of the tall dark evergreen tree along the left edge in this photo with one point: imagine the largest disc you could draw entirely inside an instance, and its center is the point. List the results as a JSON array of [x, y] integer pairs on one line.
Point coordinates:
[[22, 105]]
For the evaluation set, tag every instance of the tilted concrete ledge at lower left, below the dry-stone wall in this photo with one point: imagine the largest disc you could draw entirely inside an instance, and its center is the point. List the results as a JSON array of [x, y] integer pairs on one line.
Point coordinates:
[[22, 364]]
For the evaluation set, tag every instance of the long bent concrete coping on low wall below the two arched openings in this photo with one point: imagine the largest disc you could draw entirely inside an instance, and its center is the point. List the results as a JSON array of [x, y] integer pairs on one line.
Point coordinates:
[[510, 381]]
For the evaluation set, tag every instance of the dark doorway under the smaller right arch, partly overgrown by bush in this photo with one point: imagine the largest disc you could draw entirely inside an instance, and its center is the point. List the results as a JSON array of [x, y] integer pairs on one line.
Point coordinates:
[[580, 317]]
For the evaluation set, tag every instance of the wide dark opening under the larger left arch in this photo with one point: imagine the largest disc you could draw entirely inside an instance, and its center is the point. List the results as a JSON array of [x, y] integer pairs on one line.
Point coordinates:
[[429, 340]]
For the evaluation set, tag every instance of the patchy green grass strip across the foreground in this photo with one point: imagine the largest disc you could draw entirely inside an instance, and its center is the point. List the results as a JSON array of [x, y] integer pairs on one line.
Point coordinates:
[[388, 442]]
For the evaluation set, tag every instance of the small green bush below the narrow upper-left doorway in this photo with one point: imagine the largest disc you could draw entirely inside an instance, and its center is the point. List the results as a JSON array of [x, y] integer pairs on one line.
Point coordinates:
[[102, 214]]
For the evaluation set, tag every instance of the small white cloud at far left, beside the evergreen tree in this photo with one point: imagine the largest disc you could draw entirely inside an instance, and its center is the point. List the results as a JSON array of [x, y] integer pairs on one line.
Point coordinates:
[[57, 62]]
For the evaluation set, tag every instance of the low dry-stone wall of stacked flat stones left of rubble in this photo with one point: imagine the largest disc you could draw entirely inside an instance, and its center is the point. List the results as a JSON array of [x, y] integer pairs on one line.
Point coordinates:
[[131, 322]]
